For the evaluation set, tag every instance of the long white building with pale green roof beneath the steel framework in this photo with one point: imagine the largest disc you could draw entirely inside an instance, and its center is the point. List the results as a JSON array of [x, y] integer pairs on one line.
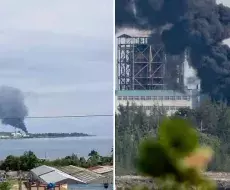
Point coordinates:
[[169, 100]]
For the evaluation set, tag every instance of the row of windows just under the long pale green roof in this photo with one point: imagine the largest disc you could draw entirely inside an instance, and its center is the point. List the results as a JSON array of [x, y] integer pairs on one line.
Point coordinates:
[[153, 97]]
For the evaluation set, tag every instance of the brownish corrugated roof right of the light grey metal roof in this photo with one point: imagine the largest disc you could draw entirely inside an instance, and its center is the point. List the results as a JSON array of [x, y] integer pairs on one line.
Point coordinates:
[[81, 173]]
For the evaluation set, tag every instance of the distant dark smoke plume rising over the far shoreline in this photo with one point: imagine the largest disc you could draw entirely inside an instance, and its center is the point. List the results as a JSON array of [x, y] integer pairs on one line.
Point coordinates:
[[12, 108]]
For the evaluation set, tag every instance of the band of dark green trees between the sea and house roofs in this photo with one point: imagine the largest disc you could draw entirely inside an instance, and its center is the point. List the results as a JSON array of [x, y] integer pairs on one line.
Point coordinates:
[[29, 161]]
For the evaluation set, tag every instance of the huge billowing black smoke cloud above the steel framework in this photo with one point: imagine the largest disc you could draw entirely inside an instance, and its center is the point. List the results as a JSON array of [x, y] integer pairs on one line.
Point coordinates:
[[197, 25]]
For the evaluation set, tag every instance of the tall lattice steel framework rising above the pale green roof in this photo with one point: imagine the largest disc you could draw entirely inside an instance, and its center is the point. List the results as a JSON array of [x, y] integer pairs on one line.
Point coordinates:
[[141, 66]]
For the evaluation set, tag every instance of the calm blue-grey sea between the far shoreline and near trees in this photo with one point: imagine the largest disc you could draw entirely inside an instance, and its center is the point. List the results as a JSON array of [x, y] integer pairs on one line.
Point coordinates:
[[57, 147]]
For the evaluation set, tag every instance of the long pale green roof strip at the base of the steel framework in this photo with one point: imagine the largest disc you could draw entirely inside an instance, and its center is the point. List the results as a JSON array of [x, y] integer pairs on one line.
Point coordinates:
[[148, 93]]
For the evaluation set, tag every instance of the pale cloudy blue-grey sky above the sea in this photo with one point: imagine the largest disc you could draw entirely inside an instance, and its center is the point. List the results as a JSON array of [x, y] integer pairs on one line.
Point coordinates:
[[60, 54]]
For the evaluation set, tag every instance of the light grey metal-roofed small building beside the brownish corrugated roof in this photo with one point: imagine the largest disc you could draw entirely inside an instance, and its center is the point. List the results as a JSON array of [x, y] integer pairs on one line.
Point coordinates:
[[46, 174]]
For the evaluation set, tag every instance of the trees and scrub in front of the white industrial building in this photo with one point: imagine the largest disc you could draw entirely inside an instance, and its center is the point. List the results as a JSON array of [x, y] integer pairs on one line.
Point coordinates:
[[211, 120]]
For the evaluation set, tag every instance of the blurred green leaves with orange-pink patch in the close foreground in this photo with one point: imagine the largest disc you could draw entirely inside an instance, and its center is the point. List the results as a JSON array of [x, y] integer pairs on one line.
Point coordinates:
[[175, 158]]
